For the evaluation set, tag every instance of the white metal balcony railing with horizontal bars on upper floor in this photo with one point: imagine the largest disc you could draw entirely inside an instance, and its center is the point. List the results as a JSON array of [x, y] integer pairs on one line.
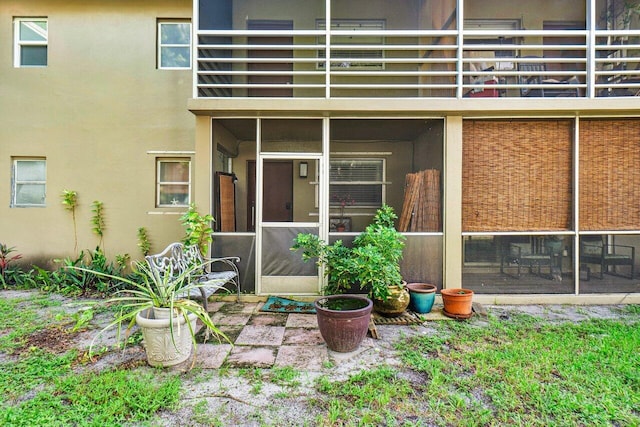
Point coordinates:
[[417, 64]]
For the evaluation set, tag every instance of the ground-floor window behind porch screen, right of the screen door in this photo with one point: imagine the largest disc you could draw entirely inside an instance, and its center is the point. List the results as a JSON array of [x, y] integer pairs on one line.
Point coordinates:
[[359, 182]]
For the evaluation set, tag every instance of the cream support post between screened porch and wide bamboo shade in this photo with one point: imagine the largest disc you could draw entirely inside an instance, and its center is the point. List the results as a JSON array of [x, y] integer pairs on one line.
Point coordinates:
[[453, 203]]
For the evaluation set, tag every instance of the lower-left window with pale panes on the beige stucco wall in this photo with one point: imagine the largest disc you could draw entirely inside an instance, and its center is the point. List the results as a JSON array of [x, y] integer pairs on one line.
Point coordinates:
[[29, 182]]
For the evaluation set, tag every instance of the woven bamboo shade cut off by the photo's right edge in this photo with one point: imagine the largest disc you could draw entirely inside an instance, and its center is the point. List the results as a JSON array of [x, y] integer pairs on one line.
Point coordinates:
[[609, 175]]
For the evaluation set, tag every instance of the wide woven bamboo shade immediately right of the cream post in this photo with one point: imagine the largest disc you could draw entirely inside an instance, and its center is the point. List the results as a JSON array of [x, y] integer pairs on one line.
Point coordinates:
[[516, 175]]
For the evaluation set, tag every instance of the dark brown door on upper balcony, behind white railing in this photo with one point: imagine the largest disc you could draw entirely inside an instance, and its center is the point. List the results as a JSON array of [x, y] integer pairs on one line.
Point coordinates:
[[286, 66]]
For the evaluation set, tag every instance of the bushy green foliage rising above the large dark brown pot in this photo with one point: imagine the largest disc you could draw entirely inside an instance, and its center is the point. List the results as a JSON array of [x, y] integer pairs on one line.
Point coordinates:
[[373, 263]]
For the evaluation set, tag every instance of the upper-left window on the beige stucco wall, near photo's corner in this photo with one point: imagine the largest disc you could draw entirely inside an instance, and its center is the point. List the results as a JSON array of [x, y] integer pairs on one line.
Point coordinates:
[[31, 37]]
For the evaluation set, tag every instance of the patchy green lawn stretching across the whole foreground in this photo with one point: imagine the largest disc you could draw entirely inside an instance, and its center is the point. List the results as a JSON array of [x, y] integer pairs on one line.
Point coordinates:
[[518, 370]]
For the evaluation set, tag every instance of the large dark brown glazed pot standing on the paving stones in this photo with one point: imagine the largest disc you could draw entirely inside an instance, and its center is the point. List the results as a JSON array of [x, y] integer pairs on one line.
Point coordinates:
[[343, 329]]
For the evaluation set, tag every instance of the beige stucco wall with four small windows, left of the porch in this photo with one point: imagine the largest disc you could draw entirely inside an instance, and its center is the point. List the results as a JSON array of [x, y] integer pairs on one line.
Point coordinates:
[[94, 112]]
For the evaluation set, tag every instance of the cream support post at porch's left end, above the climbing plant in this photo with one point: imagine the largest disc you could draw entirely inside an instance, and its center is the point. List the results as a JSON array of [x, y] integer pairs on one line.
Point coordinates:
[[202, 168]]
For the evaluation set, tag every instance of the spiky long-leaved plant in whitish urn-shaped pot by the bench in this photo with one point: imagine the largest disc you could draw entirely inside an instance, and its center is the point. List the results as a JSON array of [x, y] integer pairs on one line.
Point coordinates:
[[157, 303]]
